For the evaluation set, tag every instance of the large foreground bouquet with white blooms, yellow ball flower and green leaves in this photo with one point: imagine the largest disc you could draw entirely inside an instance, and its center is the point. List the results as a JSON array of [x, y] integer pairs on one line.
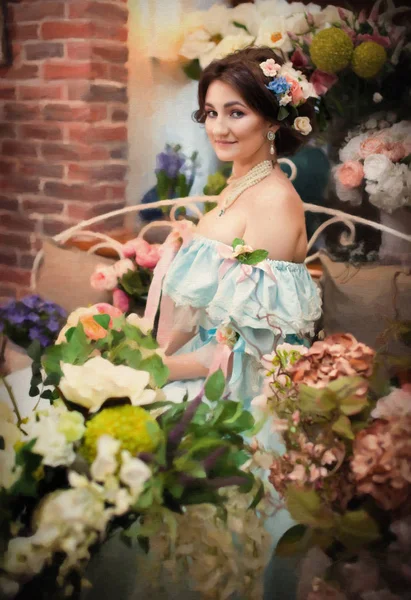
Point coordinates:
[[108, 452]]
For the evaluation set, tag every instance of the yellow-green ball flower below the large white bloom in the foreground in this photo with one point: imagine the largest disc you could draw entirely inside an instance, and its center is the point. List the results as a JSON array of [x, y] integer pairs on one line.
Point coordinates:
[[133, 426]]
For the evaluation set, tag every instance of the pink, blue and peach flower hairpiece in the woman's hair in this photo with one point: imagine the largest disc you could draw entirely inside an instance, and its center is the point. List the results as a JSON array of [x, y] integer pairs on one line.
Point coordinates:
[[292, 89]]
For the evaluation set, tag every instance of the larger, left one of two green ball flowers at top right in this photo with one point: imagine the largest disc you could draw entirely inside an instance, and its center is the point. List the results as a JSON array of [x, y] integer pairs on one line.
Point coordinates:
[[331, 50]]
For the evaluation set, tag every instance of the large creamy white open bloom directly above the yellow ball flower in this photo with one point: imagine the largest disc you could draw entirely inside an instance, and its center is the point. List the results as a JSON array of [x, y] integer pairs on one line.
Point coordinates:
[[91, 384]]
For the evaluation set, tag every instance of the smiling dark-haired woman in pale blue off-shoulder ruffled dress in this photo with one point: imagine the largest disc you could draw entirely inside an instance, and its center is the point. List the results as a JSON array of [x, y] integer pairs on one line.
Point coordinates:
[[225, 312]]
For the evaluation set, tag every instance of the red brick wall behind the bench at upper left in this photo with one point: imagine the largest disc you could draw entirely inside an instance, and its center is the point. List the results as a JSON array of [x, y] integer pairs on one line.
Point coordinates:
[[63, 125]]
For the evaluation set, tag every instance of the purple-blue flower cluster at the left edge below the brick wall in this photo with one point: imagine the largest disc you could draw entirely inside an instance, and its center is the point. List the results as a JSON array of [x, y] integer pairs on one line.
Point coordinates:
[[31, 318]]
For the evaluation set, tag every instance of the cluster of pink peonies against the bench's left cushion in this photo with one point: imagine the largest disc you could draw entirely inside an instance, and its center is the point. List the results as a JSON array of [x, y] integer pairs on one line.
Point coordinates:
[[129, 278]]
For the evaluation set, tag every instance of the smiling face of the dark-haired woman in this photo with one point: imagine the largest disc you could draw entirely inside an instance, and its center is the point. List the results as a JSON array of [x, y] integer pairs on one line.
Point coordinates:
[[235, 131]]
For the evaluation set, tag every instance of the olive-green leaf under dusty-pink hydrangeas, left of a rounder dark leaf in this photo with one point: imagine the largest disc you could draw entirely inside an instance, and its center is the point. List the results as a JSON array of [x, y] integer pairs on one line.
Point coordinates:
[[305, 507]]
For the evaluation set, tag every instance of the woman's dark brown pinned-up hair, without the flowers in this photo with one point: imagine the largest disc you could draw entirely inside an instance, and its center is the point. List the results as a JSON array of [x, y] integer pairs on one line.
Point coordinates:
[[241, 70]]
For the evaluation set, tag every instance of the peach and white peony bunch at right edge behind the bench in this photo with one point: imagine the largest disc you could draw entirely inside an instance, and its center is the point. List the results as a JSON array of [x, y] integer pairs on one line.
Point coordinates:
[[377, 161]]
